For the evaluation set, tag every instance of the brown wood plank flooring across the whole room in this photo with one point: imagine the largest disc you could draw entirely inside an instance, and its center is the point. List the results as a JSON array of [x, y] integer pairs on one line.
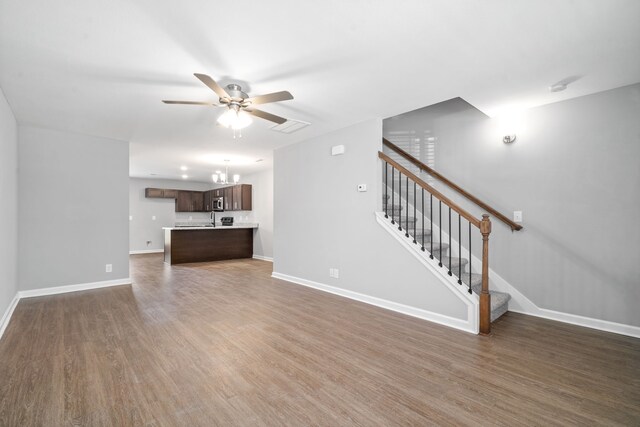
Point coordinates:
[[223, 343]]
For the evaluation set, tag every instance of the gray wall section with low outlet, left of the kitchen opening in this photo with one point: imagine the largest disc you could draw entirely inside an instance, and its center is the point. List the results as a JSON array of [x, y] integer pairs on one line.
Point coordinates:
[[73, 208]]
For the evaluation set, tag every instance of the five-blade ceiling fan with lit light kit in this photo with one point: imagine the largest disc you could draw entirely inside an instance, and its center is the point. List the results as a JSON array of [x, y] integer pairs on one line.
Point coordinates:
[[239, 104]]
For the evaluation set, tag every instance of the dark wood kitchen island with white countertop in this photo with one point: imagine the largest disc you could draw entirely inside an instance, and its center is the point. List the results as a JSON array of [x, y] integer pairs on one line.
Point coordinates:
[[208, 243]]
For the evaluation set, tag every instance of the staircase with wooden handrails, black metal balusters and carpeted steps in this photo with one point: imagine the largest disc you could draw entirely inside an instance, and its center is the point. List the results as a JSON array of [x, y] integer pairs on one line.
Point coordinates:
[[438, 227]]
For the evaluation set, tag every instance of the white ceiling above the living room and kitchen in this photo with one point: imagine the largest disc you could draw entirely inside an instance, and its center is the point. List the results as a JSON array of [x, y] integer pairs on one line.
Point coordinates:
[[102, 67]]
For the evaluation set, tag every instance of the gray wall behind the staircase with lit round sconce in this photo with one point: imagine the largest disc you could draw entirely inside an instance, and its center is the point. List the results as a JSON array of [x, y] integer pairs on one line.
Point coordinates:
[[574, 173]]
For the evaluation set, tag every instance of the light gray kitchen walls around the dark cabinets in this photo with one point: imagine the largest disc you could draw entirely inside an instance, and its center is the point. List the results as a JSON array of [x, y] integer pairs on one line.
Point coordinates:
[[142, 210]]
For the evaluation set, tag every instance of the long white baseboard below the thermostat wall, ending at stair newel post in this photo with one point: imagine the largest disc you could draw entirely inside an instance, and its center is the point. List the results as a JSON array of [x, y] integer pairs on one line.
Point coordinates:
[[441, 319]]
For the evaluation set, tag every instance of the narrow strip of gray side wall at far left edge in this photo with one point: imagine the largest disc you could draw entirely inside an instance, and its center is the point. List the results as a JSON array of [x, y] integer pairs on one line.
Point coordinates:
[[8, 206]]
